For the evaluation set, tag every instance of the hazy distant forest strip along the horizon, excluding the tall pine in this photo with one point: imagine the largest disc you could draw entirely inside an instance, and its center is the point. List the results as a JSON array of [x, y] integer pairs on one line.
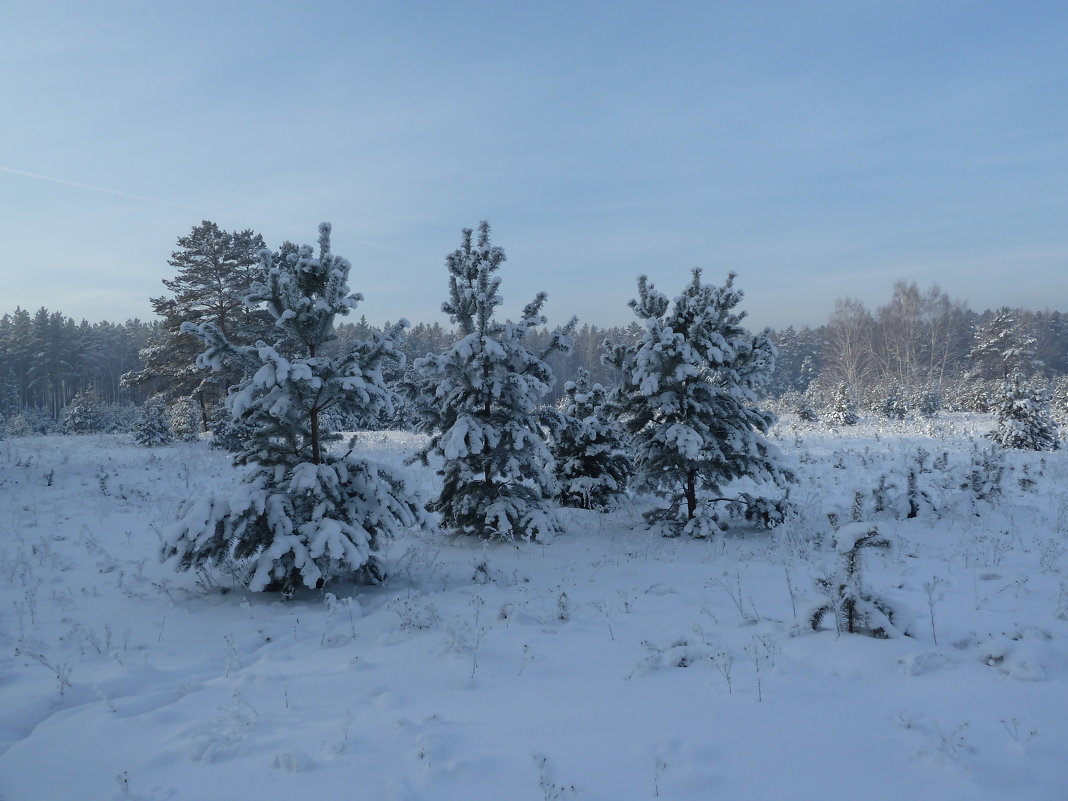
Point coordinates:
[[46, 358]]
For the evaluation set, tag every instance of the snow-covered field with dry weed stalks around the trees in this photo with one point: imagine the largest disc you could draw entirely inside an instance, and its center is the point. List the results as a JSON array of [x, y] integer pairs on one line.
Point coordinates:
[[607, 665]]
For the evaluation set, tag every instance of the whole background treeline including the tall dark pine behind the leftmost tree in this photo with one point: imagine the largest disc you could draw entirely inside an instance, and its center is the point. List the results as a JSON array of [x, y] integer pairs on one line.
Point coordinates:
[[919, 343]]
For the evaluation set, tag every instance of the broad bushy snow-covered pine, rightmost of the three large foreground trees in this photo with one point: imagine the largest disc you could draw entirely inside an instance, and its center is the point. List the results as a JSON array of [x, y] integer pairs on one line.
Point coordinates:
[[688, 399]]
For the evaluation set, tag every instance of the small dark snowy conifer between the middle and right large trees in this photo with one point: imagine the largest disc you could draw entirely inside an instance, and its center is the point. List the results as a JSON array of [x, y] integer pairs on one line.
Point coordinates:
[[593, 467]]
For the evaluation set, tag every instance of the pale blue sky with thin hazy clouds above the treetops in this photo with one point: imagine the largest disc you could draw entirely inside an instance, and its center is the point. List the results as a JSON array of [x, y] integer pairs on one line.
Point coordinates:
[[820, 150]]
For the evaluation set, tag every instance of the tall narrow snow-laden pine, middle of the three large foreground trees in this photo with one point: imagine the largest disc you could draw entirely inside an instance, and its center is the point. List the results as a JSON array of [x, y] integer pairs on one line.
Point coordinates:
[[480, 402]]
